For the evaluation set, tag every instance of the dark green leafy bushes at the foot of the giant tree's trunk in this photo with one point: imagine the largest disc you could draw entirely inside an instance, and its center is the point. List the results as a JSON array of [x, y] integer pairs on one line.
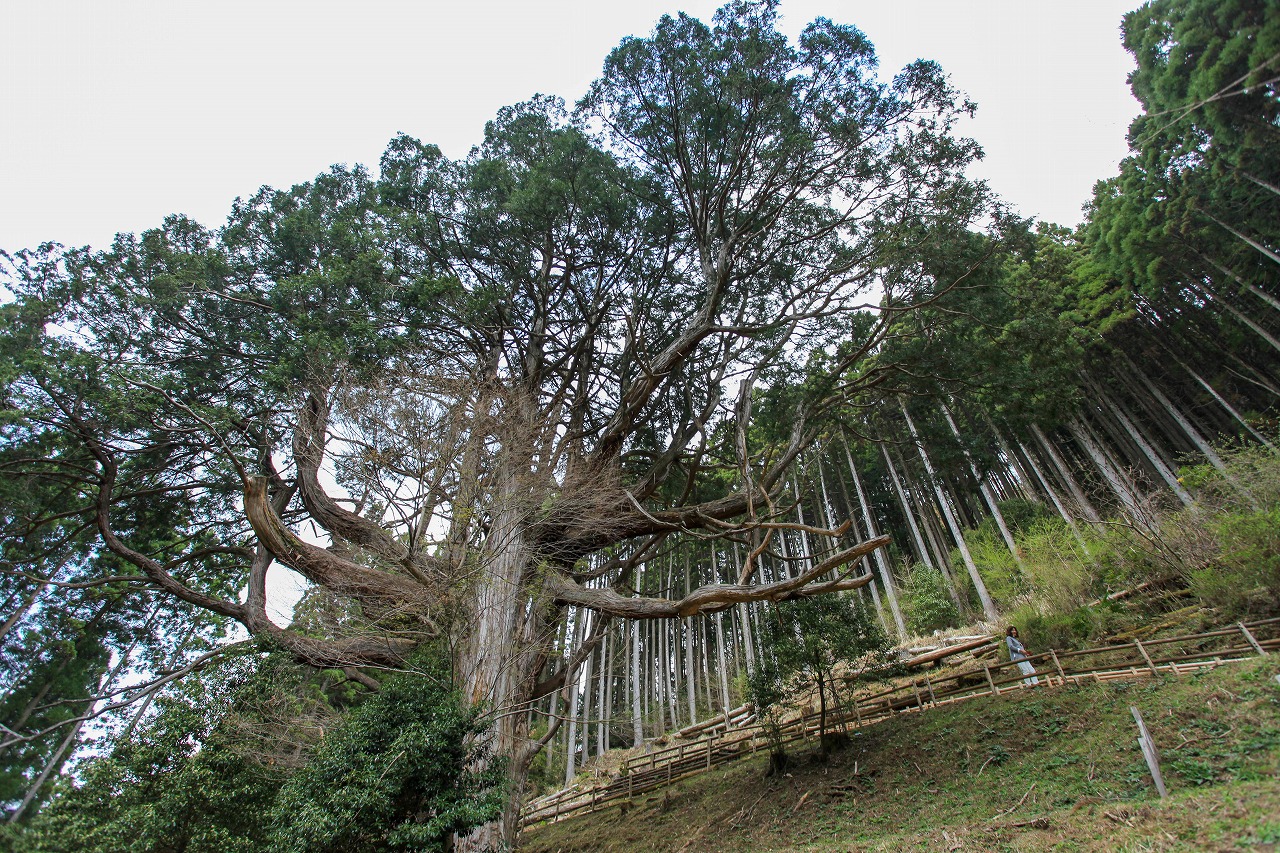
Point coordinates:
[[218, 772]]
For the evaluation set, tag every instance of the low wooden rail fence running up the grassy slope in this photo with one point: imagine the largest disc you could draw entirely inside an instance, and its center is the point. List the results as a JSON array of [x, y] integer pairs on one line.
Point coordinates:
[[720, 741]]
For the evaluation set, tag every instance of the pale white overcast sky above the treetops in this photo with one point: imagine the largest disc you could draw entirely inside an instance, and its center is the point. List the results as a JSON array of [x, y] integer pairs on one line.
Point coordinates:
[[120, 113]]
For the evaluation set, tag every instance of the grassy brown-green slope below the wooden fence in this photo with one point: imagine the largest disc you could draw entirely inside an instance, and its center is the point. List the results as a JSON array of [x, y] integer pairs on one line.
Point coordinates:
[[1030, 770]]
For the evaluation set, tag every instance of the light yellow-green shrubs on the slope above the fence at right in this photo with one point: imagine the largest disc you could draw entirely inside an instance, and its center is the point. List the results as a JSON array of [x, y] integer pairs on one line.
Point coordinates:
[[1224, 549]]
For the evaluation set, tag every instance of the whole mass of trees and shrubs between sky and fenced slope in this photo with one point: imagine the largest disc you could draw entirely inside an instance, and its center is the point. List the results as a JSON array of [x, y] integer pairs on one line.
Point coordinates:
[[579, 439]]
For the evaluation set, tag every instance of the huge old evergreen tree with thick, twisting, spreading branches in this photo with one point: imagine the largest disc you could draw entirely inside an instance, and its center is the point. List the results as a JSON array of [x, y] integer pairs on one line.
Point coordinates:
[[529, 350]]
